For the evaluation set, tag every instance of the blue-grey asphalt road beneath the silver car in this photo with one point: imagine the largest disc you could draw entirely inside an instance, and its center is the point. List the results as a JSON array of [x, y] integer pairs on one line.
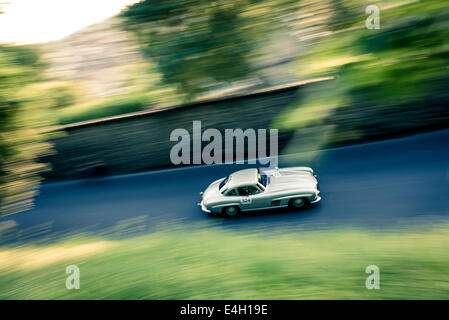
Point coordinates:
[[393, 184]]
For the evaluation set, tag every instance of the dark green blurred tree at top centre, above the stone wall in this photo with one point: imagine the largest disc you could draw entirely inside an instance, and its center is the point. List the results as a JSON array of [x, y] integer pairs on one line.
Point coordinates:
[[195, 43]]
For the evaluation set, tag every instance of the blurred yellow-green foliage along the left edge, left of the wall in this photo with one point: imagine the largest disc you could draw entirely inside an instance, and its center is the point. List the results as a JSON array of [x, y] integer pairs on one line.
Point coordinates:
[[20, 140]]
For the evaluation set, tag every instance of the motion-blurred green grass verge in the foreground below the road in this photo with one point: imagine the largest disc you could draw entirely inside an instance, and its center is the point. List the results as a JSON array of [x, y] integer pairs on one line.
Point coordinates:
[[214, 264]]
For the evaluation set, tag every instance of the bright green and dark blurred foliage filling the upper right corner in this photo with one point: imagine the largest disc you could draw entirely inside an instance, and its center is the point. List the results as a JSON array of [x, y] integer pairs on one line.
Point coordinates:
[[399, 68]]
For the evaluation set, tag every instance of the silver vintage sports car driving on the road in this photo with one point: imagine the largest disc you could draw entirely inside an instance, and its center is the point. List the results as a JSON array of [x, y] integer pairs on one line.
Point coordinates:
[[253, 189]]
